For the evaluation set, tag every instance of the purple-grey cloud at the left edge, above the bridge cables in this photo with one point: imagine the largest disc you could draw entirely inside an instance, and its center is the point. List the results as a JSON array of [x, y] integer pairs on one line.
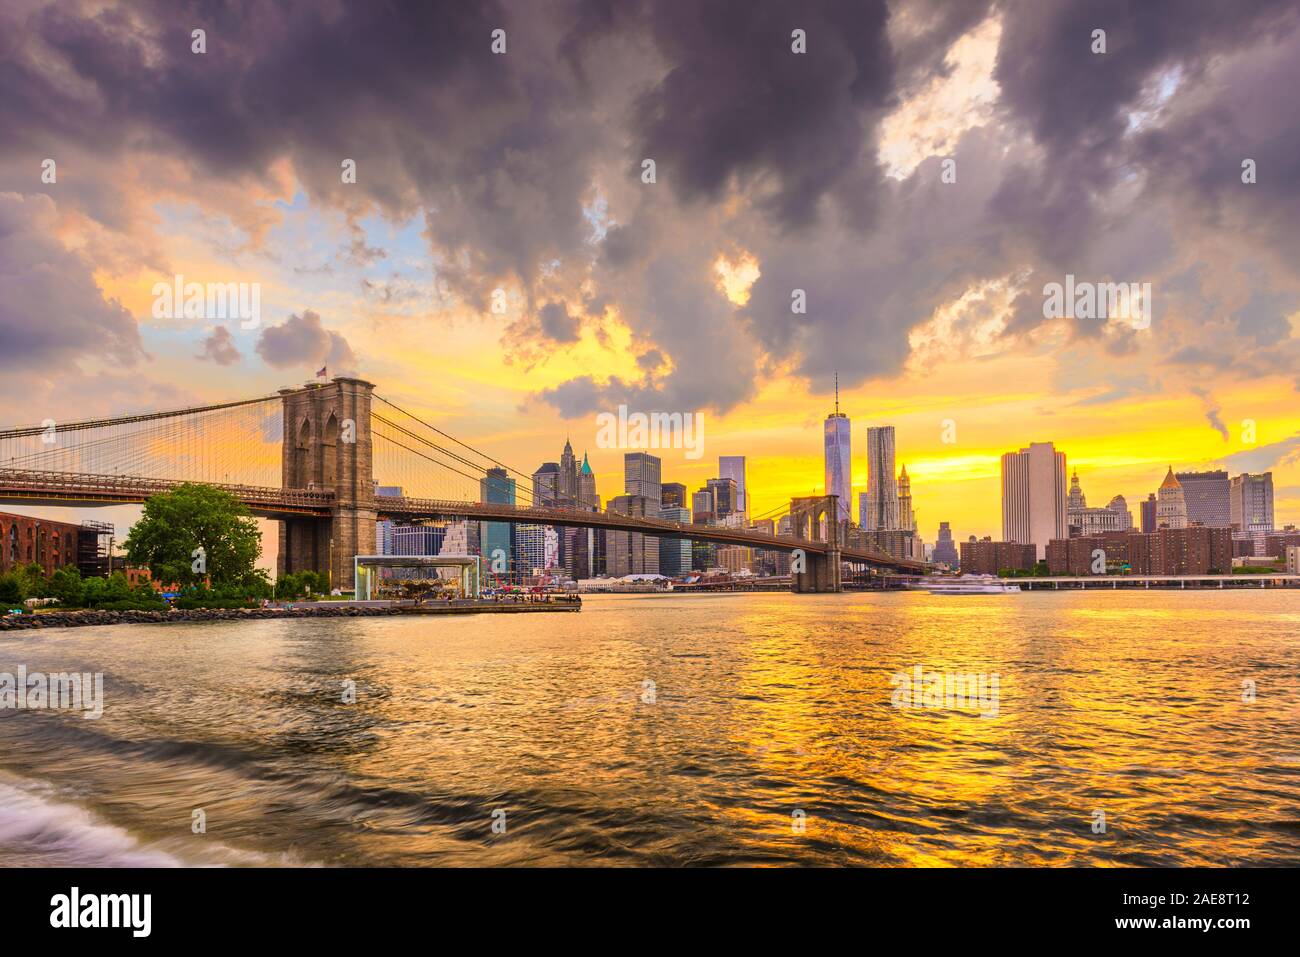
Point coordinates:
[[51, 311]]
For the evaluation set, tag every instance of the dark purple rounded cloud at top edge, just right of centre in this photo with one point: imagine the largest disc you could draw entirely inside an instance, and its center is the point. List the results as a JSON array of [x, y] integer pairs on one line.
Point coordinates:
[[739, 107]]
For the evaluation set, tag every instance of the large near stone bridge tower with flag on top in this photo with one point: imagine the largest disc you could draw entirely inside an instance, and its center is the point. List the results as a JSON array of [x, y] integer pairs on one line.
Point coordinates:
[[327, 447]]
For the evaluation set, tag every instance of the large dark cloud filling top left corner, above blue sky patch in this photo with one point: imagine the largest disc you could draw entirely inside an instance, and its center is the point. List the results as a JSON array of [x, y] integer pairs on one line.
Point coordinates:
[[489, 148]]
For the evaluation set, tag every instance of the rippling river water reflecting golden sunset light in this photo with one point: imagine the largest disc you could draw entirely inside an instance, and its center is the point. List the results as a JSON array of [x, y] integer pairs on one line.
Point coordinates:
[[662, 730]]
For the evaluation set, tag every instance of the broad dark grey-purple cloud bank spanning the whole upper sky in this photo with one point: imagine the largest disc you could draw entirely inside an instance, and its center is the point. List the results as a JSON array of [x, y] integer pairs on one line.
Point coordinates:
[[757, 150]]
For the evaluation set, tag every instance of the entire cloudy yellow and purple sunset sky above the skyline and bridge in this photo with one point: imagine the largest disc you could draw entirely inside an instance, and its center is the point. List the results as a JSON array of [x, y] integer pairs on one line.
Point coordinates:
[[775, 171]]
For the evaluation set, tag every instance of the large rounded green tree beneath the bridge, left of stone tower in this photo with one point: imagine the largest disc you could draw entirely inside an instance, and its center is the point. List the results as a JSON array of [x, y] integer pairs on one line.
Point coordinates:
[[177, 525]]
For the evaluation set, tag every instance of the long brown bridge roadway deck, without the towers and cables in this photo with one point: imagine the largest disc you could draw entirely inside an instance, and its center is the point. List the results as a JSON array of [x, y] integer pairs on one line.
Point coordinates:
[[77, 490]]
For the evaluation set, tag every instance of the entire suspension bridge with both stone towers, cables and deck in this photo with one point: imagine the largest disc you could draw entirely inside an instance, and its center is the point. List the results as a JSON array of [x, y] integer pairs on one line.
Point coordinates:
[[318, 461]]
